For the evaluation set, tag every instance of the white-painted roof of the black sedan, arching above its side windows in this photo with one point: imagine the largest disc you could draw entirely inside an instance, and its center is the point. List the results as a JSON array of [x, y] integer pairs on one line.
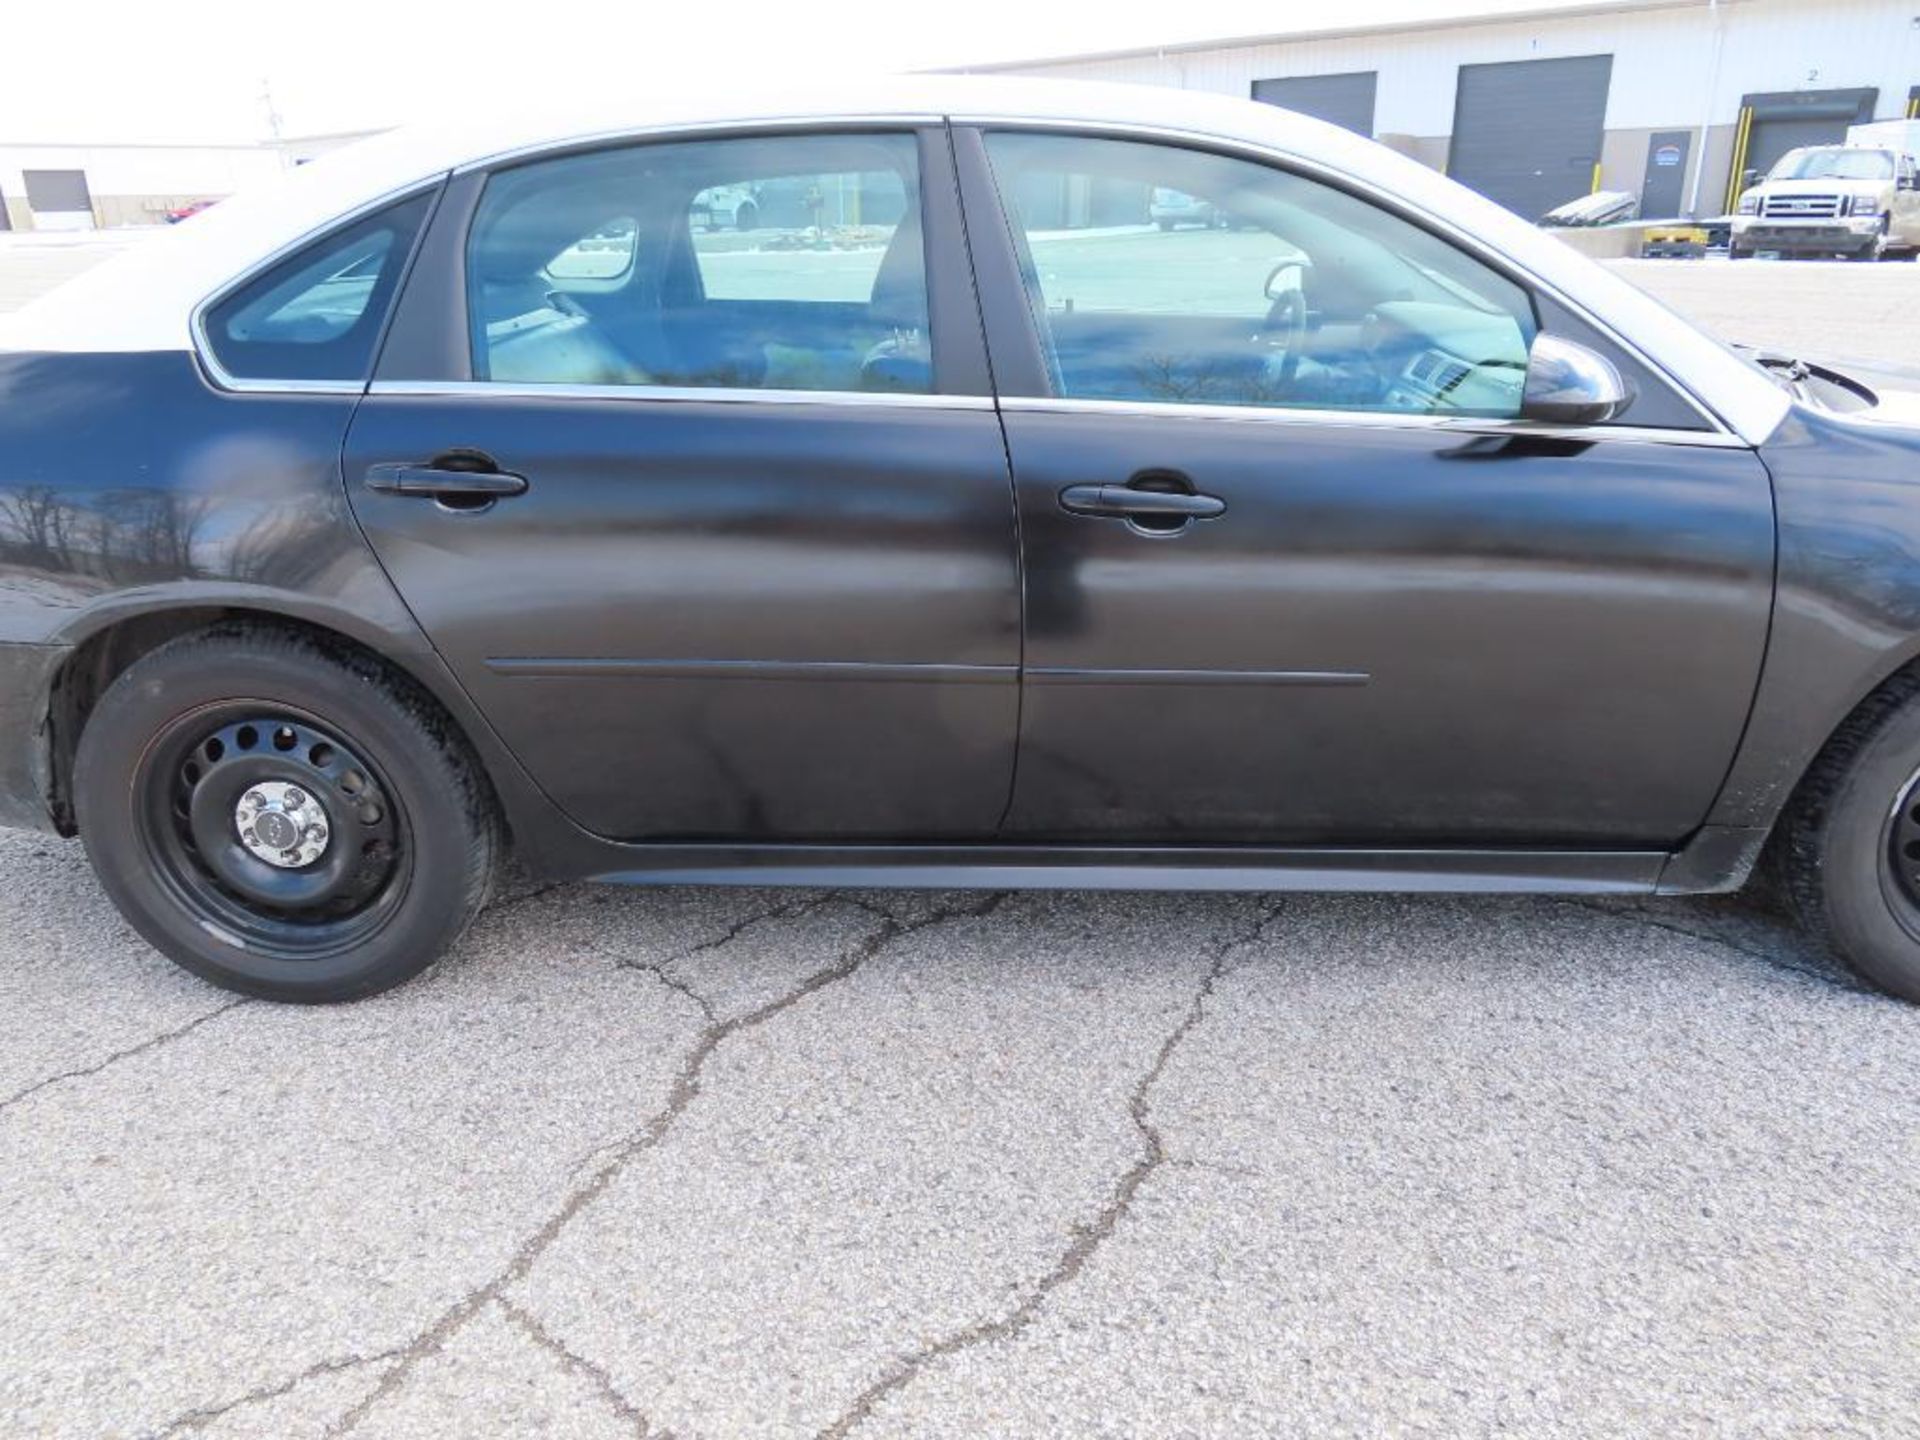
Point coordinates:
[[145, 299]]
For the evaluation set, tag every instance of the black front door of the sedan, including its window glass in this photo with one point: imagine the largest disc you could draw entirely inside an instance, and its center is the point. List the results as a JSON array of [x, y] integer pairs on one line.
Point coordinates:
[[1295, 573]]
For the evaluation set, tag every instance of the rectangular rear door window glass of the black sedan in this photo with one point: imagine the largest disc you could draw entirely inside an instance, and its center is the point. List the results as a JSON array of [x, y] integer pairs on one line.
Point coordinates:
[[773, 264]]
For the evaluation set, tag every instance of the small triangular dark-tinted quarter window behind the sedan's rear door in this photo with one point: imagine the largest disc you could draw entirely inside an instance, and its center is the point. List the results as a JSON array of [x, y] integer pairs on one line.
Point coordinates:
[[320, 314]]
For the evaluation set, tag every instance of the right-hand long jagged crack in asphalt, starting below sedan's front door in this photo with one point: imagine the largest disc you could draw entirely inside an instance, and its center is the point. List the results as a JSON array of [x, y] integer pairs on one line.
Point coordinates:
[[1088, 1237]]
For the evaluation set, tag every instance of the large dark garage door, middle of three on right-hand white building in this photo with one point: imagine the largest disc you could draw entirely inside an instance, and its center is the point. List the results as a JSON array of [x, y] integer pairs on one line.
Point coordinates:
[[1527, 132]]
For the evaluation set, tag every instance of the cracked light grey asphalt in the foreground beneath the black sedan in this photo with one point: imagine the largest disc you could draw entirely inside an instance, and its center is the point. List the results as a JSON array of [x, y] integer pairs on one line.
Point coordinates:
[[898, 1164]]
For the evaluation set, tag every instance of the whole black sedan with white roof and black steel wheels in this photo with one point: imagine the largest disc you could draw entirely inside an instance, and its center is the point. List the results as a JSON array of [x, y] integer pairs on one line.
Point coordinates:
[[466, 487]]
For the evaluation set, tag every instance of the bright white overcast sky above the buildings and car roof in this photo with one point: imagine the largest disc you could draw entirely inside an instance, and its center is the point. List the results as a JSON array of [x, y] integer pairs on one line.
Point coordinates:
[[203, 70]]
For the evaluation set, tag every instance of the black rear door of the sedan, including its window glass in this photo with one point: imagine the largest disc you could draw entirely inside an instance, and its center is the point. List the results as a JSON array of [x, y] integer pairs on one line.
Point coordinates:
[[715, 525]]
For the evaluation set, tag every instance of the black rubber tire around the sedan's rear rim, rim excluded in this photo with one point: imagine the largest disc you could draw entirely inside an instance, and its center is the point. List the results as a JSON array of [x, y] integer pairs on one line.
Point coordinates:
[[425, 782]]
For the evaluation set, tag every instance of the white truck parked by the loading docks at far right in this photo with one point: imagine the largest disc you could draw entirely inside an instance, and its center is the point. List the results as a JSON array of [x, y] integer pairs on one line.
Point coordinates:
[[1860, 199]]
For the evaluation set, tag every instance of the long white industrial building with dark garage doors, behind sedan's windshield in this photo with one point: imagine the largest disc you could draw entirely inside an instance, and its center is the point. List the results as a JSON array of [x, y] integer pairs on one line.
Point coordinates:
[[1668, 99]]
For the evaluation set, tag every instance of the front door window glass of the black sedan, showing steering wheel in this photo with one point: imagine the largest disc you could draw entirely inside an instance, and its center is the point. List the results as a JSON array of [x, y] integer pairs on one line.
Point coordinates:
[[1178, 276]]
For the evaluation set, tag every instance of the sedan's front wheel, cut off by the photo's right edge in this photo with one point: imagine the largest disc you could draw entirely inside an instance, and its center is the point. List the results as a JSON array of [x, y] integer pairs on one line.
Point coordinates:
[[1850, 848]]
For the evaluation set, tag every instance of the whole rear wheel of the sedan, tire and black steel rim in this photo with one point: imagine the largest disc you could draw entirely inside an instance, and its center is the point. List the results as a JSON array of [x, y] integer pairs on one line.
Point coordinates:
[[395, 838]]
